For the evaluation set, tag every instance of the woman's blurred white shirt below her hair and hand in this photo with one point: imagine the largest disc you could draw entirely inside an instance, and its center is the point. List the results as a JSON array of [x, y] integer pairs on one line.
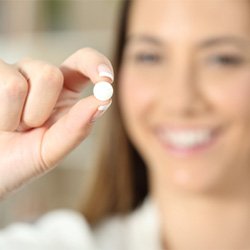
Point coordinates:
[[68, 230]]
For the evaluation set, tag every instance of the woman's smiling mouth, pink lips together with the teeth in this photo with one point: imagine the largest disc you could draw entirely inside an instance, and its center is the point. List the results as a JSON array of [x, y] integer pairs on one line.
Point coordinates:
[[186, 139]]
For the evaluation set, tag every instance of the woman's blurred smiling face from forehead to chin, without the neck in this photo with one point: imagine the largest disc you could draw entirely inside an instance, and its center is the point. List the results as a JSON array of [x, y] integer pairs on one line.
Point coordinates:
[[185, 91]]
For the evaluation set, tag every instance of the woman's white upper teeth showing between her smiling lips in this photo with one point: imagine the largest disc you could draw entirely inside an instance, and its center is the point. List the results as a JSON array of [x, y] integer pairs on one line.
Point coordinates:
[[185, 139]]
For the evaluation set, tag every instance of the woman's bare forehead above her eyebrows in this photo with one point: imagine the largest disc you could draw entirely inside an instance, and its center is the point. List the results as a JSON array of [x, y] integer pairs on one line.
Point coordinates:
[[190, 17]]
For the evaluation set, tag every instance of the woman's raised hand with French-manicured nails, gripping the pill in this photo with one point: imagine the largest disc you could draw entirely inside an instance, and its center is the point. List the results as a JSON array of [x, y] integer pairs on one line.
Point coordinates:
[[41, 115]]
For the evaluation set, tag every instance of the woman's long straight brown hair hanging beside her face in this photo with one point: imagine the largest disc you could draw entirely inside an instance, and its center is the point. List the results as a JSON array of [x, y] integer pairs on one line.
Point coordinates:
[[120, 183]]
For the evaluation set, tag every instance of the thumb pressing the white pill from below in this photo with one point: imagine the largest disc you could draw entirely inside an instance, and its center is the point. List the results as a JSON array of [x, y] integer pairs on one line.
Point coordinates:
[[64, 135]]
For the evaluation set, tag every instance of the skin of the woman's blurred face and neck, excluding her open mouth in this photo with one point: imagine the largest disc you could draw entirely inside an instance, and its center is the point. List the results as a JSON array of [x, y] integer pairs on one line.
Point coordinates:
[[175, 77]]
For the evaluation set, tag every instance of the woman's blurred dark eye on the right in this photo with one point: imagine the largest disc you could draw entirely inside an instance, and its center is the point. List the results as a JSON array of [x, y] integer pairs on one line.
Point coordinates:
[[226, 60]]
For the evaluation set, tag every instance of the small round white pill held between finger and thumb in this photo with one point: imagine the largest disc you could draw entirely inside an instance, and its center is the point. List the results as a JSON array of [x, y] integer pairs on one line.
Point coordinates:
[[103, 91]]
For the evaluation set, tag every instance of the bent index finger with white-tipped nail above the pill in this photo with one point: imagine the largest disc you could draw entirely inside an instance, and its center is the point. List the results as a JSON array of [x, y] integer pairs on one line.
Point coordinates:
[[84, 65]]
